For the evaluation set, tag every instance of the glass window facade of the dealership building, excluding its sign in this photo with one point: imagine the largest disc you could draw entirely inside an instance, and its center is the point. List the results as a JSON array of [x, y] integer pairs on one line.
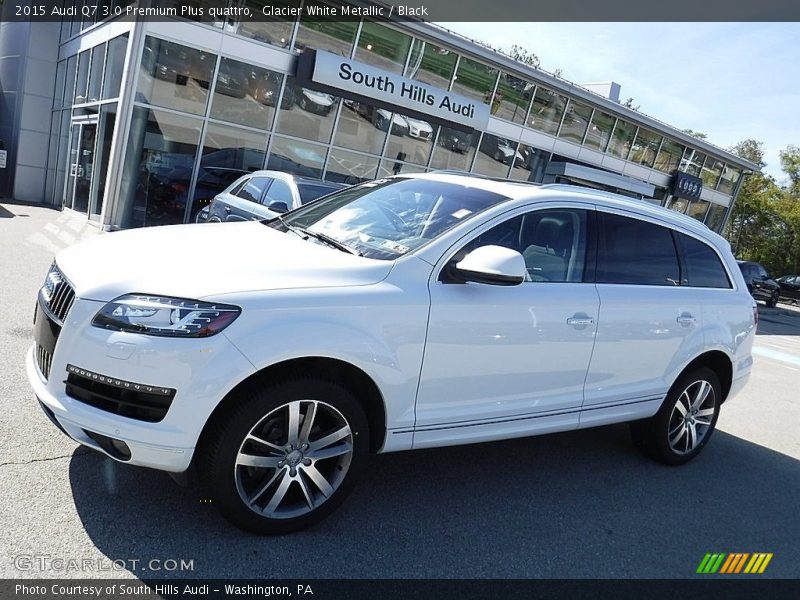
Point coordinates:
[[201, 119]]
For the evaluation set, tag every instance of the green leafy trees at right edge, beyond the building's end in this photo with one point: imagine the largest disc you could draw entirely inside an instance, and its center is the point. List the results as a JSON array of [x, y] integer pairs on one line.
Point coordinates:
[[765, 223]]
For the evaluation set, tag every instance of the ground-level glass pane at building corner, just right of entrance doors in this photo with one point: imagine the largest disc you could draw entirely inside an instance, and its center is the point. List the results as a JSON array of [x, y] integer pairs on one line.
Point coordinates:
[[161, 151]]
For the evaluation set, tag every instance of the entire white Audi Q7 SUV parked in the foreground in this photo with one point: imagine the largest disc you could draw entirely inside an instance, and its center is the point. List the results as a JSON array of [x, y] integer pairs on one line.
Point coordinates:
[[403, 313]]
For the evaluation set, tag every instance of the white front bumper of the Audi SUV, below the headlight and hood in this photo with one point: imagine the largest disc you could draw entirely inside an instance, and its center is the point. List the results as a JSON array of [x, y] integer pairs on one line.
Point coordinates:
[[202, 371]]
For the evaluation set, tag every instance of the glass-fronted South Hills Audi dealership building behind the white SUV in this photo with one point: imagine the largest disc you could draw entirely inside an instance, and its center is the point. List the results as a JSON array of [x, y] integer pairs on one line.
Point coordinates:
[[140, 122]]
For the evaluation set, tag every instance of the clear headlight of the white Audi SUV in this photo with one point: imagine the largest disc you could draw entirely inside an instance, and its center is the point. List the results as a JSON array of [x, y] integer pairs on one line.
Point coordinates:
[[163, 316]]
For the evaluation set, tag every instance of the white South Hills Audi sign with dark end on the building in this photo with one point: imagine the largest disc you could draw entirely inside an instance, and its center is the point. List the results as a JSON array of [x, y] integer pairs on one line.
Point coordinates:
[[349, 78]]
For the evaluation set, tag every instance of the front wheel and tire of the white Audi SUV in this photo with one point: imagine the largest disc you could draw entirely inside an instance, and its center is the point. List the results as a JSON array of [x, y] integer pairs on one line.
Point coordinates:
[[299, 480]]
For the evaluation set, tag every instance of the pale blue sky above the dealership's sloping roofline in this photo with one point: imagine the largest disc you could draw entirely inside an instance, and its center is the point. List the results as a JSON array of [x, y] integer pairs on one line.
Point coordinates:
[[731, 81]]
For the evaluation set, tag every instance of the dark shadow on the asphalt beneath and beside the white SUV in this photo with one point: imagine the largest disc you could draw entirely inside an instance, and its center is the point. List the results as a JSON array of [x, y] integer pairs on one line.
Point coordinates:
[[579, 504]]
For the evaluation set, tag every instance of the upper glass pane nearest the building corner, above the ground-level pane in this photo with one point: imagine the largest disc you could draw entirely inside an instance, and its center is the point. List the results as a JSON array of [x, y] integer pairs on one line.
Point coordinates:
[[175, 76]]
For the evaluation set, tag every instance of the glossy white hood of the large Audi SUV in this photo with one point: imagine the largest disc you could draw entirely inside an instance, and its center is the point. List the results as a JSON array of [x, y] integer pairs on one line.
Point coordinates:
[[198, 261]]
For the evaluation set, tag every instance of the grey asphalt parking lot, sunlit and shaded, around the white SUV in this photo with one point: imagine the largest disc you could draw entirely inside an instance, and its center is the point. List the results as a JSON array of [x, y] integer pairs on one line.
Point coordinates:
[[582, 504]]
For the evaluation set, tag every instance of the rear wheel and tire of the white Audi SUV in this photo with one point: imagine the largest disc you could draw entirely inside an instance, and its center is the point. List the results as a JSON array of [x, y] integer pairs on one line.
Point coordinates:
[[667, 436]]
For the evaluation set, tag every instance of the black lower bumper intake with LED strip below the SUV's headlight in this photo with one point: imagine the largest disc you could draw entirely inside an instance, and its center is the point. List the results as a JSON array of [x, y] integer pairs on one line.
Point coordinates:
[[125, 398]]
